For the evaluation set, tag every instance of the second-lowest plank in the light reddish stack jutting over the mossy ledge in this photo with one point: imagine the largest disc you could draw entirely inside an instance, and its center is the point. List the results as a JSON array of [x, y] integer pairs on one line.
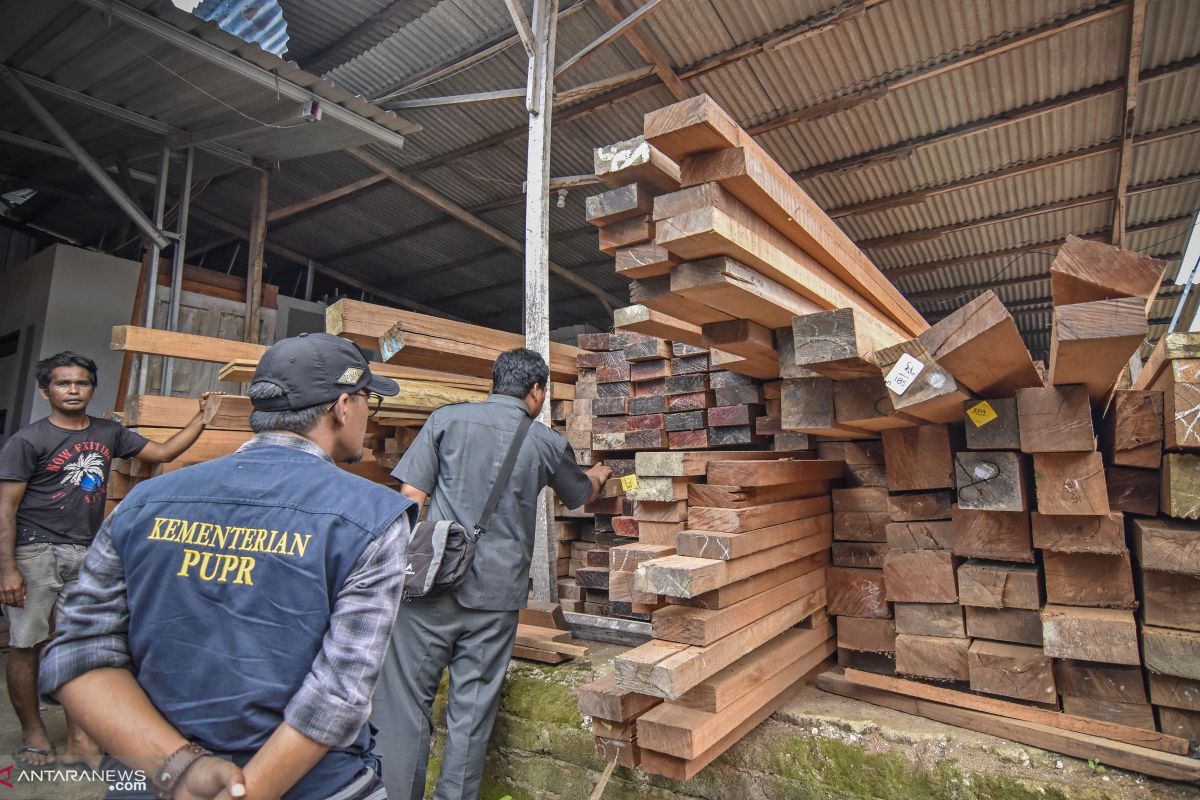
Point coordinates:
[[687, 733]]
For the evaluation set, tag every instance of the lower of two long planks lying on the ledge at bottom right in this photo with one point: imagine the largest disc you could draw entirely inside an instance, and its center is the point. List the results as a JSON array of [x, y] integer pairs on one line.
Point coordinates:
[[1081, 745]]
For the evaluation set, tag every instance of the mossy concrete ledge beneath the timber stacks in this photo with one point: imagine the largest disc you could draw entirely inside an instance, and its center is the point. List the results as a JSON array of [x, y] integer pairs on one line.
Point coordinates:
[[819, 747]]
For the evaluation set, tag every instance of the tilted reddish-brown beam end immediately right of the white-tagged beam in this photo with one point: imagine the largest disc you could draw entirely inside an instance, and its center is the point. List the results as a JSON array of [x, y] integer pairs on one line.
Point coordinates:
[[981, 346]]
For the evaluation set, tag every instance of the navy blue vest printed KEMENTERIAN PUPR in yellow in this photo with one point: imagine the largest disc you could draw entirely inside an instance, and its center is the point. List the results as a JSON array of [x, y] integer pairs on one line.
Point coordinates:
[[233, 568]]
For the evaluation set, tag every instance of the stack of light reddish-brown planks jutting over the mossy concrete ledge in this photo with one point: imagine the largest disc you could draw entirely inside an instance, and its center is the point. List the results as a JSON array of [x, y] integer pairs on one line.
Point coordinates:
[[737, 593]]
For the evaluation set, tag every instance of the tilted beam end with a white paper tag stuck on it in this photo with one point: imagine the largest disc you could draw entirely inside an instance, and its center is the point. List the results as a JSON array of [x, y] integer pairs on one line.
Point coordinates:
[[919, 386]]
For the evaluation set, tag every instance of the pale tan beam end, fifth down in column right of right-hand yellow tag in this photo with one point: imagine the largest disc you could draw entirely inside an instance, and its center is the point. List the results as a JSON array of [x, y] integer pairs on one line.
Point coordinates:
[[1105, 635]]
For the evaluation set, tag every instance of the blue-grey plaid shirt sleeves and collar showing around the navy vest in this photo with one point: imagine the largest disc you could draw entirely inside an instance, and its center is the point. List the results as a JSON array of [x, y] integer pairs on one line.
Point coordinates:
[[334, 701]]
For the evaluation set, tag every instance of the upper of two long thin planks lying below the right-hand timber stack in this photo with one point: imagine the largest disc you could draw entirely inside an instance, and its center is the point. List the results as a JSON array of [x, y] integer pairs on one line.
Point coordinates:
[[1139, 737]]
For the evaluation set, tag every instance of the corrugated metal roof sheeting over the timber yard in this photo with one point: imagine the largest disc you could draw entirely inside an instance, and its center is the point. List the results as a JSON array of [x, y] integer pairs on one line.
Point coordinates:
[[370, 47]]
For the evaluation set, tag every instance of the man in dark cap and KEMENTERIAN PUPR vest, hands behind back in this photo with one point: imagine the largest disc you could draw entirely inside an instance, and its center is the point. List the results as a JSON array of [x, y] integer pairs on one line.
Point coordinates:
[[243, 607]]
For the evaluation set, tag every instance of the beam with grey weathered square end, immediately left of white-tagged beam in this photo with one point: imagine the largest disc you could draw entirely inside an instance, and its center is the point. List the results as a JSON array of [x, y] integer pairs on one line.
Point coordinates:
[[836, 345]]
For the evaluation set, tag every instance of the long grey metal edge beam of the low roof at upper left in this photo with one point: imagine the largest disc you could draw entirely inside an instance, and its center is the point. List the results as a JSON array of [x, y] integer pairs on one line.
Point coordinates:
[[195, 46]]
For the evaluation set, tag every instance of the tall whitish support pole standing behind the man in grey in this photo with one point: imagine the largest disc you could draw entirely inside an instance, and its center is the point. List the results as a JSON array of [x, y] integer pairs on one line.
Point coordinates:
[[537, 257]]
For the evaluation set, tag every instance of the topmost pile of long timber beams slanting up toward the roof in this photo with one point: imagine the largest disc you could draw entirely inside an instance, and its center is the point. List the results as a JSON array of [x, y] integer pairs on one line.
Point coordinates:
[[723, 249]]
